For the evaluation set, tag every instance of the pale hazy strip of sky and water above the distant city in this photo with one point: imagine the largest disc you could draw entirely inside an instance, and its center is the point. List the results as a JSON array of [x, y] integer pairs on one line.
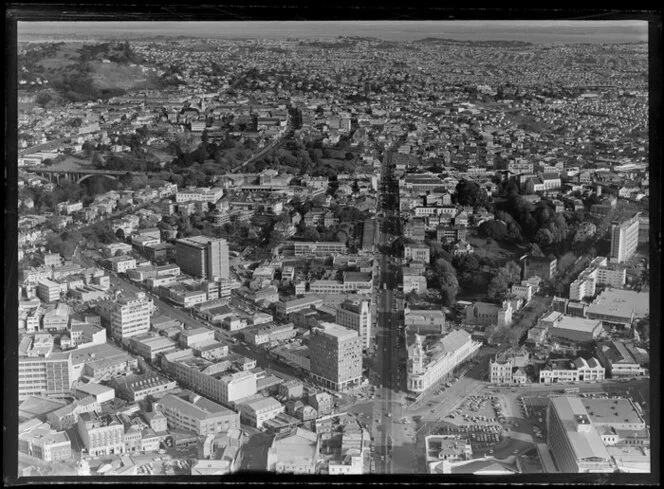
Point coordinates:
[[480, 30]]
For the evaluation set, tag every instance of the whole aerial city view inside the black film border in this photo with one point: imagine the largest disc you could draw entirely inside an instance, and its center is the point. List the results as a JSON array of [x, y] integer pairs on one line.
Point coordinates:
[[321, 250]]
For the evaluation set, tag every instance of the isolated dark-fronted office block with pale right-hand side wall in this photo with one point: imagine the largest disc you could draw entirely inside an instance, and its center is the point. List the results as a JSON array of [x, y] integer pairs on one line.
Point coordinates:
[[202, 256]]
